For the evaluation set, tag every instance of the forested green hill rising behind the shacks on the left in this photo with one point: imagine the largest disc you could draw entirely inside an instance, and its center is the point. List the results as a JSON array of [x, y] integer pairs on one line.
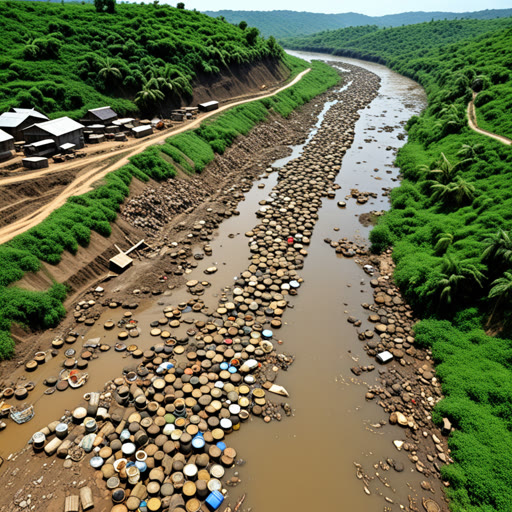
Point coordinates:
[[66, 58]]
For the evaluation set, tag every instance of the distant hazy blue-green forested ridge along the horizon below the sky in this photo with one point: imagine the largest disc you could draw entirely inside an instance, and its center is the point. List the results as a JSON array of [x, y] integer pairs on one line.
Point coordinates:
[[291, 23]]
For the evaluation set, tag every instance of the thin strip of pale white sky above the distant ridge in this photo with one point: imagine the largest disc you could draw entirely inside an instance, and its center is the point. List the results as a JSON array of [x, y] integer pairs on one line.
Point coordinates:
[[368, 7]]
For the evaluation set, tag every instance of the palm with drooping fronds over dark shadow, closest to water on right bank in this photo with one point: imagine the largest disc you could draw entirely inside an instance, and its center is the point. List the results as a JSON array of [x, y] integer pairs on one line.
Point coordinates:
[[457, 278]]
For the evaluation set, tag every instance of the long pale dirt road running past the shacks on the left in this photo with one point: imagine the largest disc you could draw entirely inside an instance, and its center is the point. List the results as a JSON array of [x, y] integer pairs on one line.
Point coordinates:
[[84, 182]]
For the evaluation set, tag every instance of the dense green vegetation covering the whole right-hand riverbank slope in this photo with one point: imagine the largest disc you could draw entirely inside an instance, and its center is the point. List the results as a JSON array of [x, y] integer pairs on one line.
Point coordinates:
[[450, 227]]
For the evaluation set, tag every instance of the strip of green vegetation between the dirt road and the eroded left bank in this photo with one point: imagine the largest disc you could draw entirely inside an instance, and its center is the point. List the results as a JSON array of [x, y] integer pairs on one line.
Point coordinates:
[[70, 226]]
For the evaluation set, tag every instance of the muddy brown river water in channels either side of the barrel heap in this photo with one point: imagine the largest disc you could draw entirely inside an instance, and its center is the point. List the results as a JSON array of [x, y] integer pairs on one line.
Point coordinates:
[[303, 462]]
